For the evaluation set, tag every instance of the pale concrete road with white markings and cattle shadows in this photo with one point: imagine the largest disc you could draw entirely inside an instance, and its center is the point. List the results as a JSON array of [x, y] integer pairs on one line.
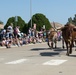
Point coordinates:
[[37, 59]]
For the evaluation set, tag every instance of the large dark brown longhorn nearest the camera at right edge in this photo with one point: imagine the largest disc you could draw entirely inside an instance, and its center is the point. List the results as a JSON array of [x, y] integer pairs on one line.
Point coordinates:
[[69, 35]]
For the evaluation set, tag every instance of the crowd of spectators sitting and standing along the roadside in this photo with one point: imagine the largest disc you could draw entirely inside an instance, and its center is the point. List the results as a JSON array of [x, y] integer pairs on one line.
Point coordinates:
[[10, 36]]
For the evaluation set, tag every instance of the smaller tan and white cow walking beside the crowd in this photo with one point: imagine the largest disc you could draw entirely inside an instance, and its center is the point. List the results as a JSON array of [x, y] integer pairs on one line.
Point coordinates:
[[52, 38]]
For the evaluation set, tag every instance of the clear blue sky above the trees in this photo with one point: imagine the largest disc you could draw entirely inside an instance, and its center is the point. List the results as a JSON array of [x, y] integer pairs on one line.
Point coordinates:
[[54, 10]]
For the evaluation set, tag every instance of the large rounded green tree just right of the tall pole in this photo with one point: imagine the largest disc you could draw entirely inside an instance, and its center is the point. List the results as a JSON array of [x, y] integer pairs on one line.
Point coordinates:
[[40, 20]]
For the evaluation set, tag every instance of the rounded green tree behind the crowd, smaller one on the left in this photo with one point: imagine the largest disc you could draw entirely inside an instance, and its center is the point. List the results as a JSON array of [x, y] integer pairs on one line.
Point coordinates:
[[20, 22]]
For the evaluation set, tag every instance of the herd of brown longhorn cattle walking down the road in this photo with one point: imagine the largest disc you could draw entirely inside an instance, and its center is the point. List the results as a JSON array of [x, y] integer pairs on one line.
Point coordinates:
[[68, 37]]
